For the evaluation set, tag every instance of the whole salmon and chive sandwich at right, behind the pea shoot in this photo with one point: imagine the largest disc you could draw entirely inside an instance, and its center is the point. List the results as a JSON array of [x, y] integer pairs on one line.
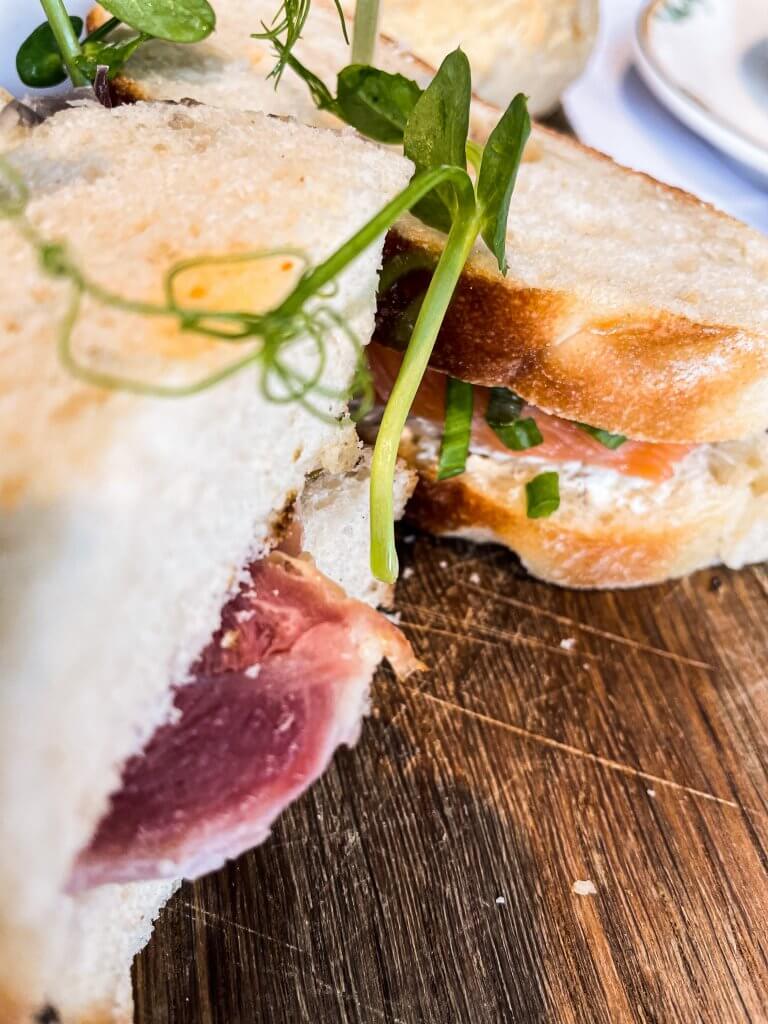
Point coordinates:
[[623, 358]]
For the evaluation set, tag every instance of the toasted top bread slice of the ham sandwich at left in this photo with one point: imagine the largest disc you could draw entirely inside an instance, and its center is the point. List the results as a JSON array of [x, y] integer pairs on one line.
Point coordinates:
[[124, 520]]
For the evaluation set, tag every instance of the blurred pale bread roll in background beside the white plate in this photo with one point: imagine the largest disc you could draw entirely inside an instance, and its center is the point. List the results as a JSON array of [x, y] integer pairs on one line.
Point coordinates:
[[532, 47]]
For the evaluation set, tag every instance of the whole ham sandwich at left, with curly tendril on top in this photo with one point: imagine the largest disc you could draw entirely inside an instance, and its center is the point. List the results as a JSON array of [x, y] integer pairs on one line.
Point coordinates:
[[187, 614]]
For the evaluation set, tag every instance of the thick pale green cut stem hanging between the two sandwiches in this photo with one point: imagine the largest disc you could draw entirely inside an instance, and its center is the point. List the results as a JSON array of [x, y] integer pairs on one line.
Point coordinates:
[[460, 243]]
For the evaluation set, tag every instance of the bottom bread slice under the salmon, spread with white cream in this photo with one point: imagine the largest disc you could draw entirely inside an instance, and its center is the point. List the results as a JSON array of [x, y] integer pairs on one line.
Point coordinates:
[[611, 530]]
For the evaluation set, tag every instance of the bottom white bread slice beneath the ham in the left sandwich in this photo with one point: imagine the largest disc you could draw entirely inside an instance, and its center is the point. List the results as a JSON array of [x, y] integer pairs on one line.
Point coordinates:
[[107, 927]]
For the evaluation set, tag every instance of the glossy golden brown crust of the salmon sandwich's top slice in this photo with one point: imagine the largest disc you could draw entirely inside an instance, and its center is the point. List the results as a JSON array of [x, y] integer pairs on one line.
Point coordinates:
[[559, 353]]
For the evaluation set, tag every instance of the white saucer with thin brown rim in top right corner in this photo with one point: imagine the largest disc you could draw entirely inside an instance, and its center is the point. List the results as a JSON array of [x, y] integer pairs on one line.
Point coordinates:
[[707, 61]]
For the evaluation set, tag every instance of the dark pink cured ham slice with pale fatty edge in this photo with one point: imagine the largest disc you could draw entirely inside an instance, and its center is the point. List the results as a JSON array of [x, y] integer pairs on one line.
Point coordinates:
[[283, 684]]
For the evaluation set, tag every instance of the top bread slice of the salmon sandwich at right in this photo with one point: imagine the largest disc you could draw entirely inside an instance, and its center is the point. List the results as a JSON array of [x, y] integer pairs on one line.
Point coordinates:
[[628, 305]]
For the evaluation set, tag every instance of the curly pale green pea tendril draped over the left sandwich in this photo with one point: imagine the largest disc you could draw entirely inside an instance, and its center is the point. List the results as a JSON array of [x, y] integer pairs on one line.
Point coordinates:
[[264, 339]]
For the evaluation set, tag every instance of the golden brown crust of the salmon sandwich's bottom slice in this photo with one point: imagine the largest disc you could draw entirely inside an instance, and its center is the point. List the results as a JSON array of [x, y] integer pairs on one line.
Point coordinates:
[[557, 549]]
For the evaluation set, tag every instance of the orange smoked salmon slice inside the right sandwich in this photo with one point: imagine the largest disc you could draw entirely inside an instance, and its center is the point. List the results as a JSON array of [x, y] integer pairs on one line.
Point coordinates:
[[563, 441]]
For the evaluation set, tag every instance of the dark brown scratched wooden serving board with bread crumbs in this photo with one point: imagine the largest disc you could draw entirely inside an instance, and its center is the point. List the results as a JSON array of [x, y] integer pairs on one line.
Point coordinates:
[[617, 739]]
